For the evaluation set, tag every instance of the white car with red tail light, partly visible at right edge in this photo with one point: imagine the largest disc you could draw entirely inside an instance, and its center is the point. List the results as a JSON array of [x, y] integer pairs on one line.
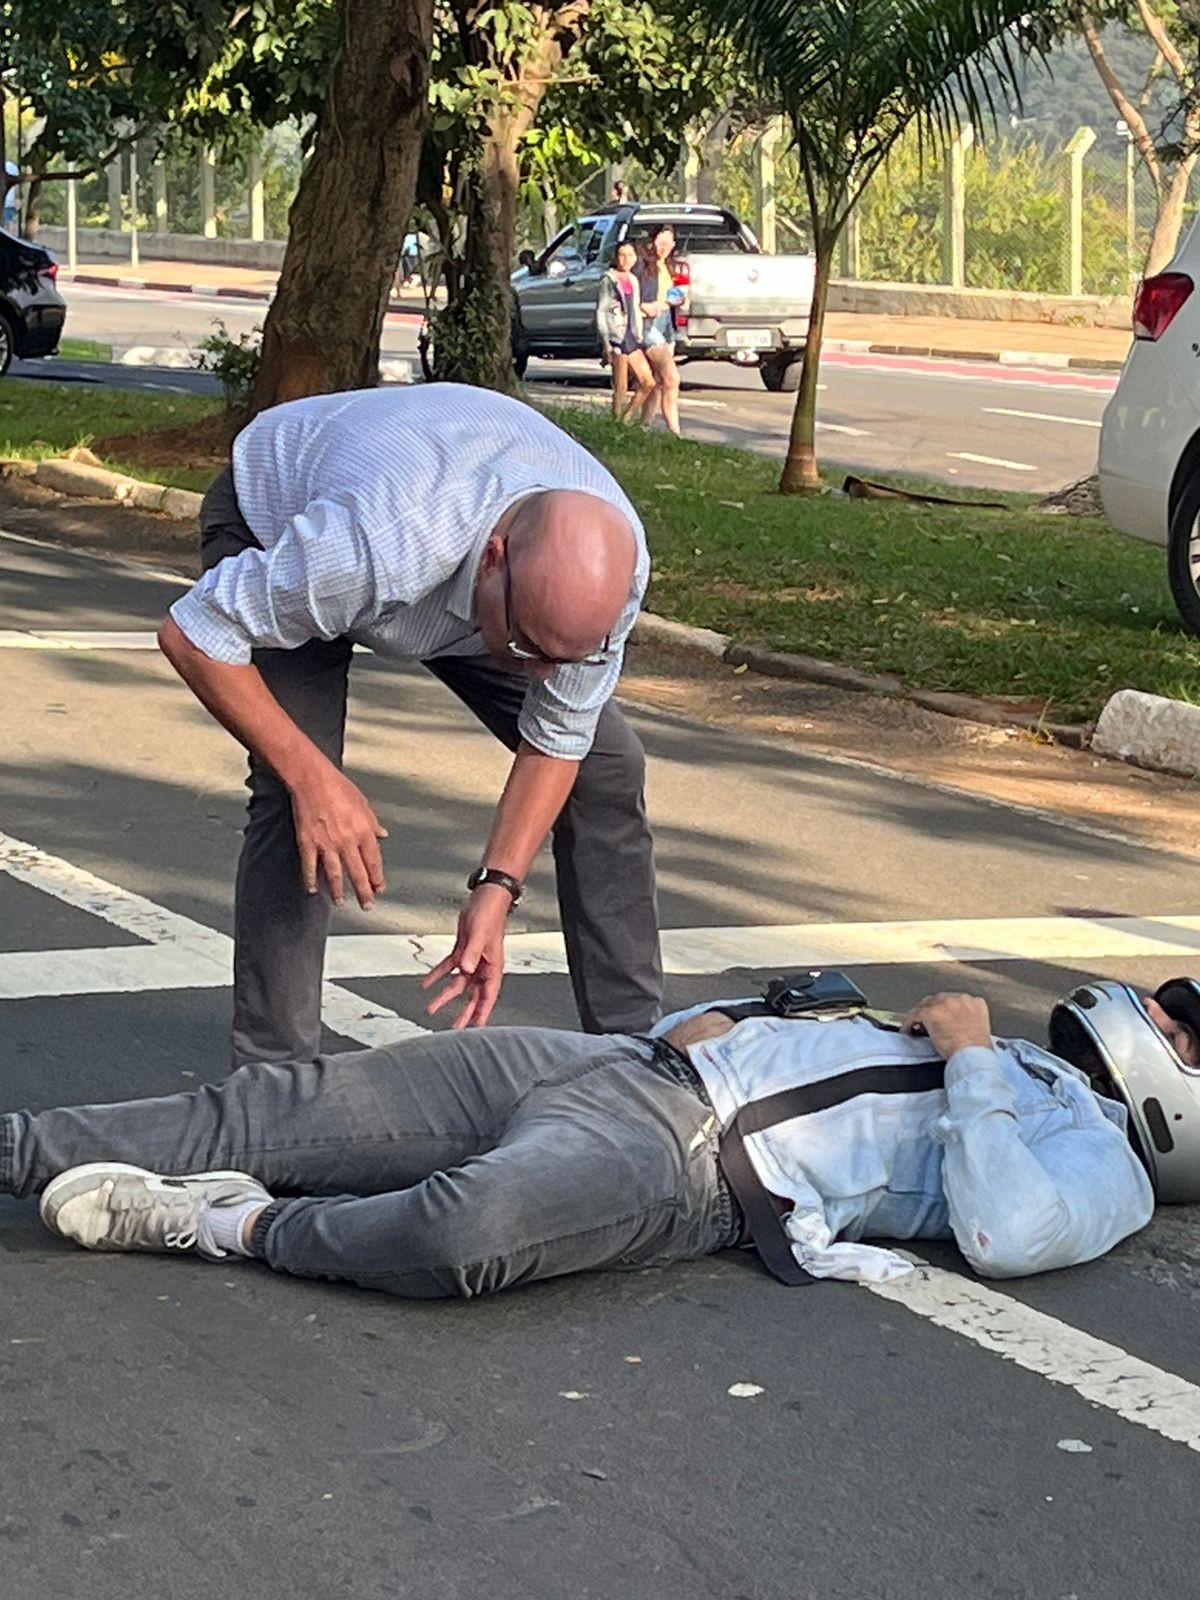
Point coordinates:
[[1150, 455]]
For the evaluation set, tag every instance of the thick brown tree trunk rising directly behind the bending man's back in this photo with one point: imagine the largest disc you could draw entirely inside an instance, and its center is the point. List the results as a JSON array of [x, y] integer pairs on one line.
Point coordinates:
[[350, 217]]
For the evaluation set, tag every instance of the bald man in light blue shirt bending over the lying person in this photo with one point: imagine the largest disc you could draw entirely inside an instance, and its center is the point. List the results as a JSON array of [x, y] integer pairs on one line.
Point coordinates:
[[458, 529]]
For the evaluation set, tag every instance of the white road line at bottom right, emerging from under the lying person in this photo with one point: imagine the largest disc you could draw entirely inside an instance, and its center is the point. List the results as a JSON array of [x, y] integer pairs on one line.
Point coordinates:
[[1102, 1374]]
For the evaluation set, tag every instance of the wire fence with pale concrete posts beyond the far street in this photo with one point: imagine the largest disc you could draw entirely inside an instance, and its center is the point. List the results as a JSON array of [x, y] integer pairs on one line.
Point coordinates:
[[1018, 212]]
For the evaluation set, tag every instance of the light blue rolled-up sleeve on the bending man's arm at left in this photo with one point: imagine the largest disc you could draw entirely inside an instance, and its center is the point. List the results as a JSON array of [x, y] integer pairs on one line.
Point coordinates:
[[316, 583]]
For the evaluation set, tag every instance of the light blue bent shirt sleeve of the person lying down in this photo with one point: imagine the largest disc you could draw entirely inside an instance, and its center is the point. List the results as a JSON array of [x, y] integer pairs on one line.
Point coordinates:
[[1018, 1209]]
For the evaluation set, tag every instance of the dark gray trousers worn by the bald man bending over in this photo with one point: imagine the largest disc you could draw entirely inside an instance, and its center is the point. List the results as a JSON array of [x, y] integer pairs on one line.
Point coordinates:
[[602, 846]]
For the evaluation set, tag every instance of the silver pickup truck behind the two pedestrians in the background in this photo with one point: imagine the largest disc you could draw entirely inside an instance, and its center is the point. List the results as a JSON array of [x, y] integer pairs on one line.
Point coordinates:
[[743, 306]]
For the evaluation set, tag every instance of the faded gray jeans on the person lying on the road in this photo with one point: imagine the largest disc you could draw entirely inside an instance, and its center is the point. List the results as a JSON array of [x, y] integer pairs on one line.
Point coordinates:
[[458, 1164]]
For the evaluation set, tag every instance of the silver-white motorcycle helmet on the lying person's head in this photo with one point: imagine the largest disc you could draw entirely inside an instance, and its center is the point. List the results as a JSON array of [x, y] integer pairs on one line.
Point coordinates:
[[1106, 1031]]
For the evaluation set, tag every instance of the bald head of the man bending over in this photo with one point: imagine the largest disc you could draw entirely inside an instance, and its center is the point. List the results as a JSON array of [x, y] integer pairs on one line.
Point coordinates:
[[572, 559]]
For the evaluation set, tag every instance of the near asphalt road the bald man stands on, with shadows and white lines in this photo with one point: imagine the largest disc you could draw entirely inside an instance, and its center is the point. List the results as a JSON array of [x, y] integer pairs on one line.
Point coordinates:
[[185, 1430]]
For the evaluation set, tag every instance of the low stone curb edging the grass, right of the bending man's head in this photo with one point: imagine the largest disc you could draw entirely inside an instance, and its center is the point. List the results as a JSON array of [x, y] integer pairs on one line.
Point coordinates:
[[812, 670]]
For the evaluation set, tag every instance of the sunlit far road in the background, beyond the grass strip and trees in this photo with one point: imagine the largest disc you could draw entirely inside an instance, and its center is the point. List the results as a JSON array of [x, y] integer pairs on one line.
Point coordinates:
[[961, 422]]
